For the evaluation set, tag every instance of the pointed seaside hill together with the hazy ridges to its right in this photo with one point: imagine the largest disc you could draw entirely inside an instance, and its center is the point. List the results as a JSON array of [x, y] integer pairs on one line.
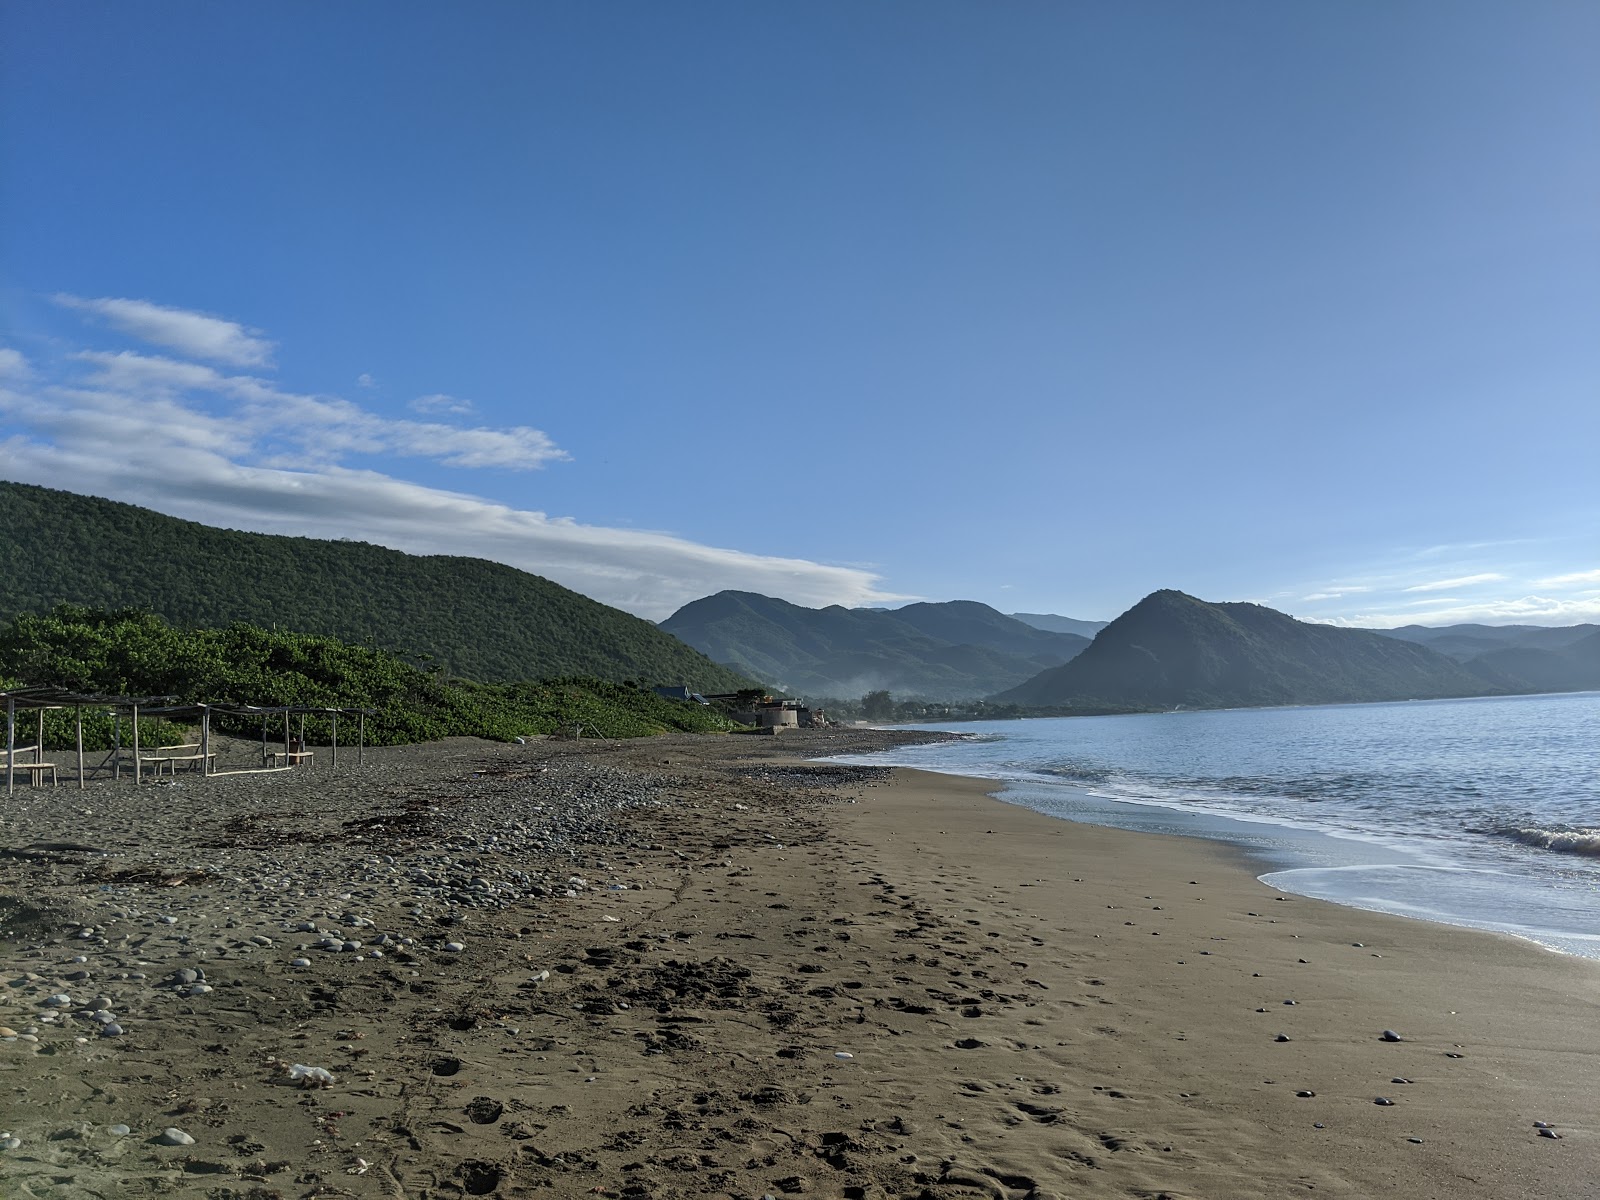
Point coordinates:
[[1174, 650]]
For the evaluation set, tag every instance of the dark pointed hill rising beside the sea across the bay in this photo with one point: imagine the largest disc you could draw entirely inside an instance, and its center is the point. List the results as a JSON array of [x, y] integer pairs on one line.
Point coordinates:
[[1175, 650]]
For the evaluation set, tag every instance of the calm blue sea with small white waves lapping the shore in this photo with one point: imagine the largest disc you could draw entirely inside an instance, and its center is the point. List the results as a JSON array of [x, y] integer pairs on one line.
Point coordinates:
[[1473, 812]]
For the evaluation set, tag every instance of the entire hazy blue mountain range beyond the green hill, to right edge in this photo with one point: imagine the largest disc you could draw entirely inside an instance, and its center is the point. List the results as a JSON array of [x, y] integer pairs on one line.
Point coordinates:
[[1170, 650]]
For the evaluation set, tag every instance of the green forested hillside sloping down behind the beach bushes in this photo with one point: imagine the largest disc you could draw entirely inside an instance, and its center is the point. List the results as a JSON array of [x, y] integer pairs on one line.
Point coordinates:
[[474, 618]]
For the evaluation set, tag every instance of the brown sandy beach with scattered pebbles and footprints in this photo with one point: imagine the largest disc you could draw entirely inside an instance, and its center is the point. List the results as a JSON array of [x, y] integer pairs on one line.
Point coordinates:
[[694, 967]]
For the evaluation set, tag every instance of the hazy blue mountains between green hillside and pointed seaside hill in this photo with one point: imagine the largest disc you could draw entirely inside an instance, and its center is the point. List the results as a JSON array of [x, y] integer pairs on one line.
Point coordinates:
[[958, 650]]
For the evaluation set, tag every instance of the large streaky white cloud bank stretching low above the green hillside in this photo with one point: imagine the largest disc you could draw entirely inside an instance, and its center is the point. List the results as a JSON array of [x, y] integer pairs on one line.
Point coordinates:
[[238, 452]]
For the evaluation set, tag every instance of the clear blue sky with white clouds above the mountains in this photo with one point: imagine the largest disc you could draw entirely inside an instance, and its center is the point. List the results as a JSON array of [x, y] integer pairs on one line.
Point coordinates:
[[1046, 305]]
